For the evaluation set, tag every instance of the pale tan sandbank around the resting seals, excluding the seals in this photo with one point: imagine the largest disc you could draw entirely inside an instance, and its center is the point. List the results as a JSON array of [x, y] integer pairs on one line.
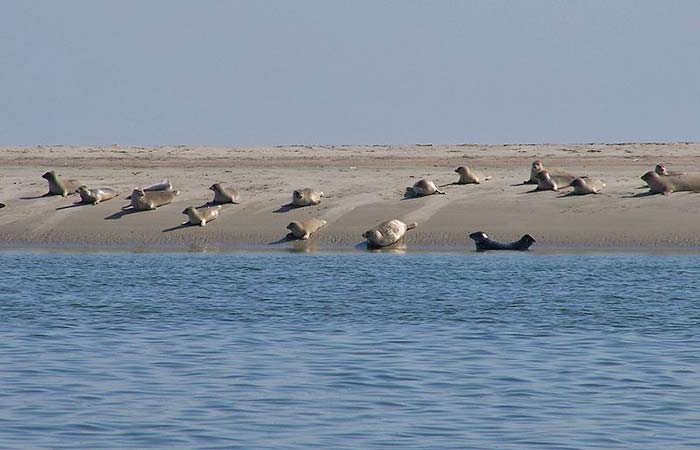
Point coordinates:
[[363, 185]]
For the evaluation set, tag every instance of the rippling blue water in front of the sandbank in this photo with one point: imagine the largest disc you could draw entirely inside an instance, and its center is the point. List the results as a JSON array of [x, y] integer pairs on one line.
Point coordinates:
[[358, 350]]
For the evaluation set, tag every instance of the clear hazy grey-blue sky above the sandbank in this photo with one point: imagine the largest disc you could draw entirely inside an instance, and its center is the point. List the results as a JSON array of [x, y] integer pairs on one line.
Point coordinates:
[[290, 72]]
